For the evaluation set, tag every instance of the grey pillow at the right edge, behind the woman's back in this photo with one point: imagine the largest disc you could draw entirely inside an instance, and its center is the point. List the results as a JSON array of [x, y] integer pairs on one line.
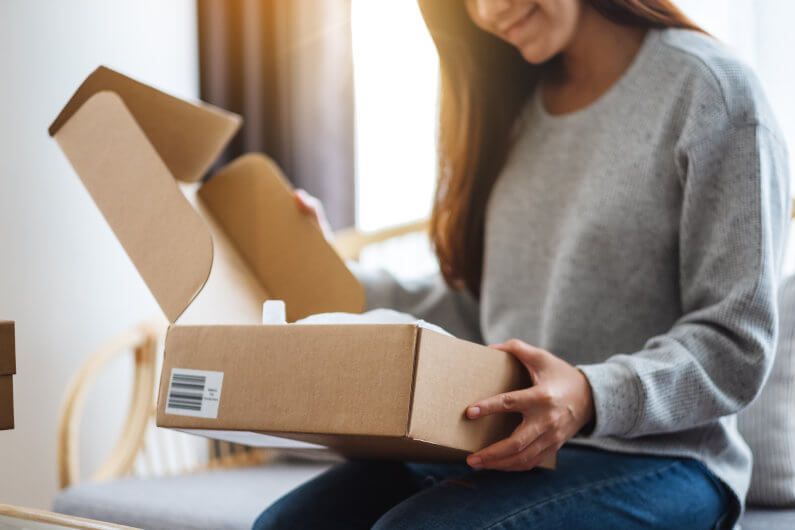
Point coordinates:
[[768, 424]]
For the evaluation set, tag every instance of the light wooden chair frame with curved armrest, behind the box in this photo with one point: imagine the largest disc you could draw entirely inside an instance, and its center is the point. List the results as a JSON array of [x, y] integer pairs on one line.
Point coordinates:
[[141, 449]]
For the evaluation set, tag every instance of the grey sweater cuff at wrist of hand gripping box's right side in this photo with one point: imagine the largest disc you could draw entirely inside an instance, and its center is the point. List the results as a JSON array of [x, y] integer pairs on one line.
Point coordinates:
[[616, 397]]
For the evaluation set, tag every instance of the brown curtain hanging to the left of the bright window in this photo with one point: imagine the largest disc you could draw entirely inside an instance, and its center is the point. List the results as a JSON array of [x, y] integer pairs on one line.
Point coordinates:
[[286, 67]]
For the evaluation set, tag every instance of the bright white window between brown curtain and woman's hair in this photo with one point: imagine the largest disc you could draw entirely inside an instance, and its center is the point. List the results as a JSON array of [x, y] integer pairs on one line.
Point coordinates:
[[396, 86]]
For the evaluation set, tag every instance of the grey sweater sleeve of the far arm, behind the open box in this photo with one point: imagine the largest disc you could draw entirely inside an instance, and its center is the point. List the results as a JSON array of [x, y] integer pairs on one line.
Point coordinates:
[[428, 298]]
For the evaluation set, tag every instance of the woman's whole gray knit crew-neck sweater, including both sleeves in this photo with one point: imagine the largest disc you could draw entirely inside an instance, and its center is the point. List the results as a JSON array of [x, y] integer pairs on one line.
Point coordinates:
[[640, 239]]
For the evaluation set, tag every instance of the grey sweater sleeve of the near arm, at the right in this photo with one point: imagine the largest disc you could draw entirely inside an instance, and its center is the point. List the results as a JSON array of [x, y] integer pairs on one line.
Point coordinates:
[[716, 357]]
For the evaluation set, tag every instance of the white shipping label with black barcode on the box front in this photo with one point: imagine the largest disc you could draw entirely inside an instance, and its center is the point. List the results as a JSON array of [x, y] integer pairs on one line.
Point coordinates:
[[194, 393]]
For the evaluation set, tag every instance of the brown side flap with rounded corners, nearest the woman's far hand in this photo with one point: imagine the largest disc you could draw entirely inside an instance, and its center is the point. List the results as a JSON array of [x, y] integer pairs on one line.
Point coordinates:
[[285, 249]]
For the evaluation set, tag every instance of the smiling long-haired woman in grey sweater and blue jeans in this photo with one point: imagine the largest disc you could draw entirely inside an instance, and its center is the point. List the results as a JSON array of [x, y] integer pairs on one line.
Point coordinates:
[[612, 202]]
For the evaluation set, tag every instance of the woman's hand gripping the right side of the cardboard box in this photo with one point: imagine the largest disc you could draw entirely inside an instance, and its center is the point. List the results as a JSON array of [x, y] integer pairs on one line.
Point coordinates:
[[554, 409]]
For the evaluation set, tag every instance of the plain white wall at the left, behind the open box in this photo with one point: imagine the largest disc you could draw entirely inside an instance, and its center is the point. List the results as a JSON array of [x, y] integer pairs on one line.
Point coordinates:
[[63, 276]]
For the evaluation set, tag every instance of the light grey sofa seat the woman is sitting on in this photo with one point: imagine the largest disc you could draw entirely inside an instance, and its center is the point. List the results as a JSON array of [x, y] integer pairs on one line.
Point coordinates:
[[232, 499]]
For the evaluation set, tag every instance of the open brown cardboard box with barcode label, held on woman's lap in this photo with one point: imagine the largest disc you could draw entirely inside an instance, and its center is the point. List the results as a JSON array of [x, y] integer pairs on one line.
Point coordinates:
[[212, 253]]
